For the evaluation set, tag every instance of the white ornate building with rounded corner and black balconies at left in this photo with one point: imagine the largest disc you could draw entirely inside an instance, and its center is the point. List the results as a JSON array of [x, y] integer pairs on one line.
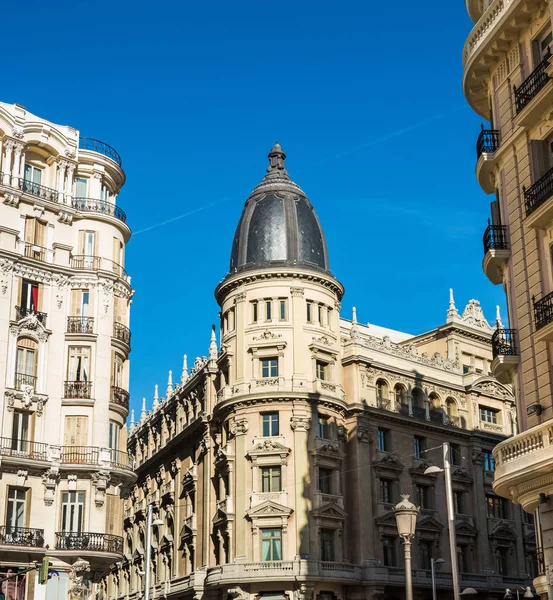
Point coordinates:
[[64, 346]]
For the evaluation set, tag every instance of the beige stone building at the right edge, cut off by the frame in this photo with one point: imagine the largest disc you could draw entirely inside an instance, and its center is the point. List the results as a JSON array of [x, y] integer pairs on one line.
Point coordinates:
[[507, 80]]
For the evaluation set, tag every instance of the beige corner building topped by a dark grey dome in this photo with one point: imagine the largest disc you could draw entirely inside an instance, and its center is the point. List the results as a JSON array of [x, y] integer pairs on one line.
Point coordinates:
[[273, 463]]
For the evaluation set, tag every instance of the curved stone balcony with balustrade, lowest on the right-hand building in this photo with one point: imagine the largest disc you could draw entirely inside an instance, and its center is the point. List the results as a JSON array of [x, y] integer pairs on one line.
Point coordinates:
[[523, 465]]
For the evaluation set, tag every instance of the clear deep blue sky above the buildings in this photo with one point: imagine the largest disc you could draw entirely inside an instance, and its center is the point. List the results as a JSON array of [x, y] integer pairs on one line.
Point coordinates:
[[364, 97]]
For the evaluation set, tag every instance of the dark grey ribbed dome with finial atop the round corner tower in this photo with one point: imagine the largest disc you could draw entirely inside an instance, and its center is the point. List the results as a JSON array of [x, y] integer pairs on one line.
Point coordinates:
[[278, 225]]
